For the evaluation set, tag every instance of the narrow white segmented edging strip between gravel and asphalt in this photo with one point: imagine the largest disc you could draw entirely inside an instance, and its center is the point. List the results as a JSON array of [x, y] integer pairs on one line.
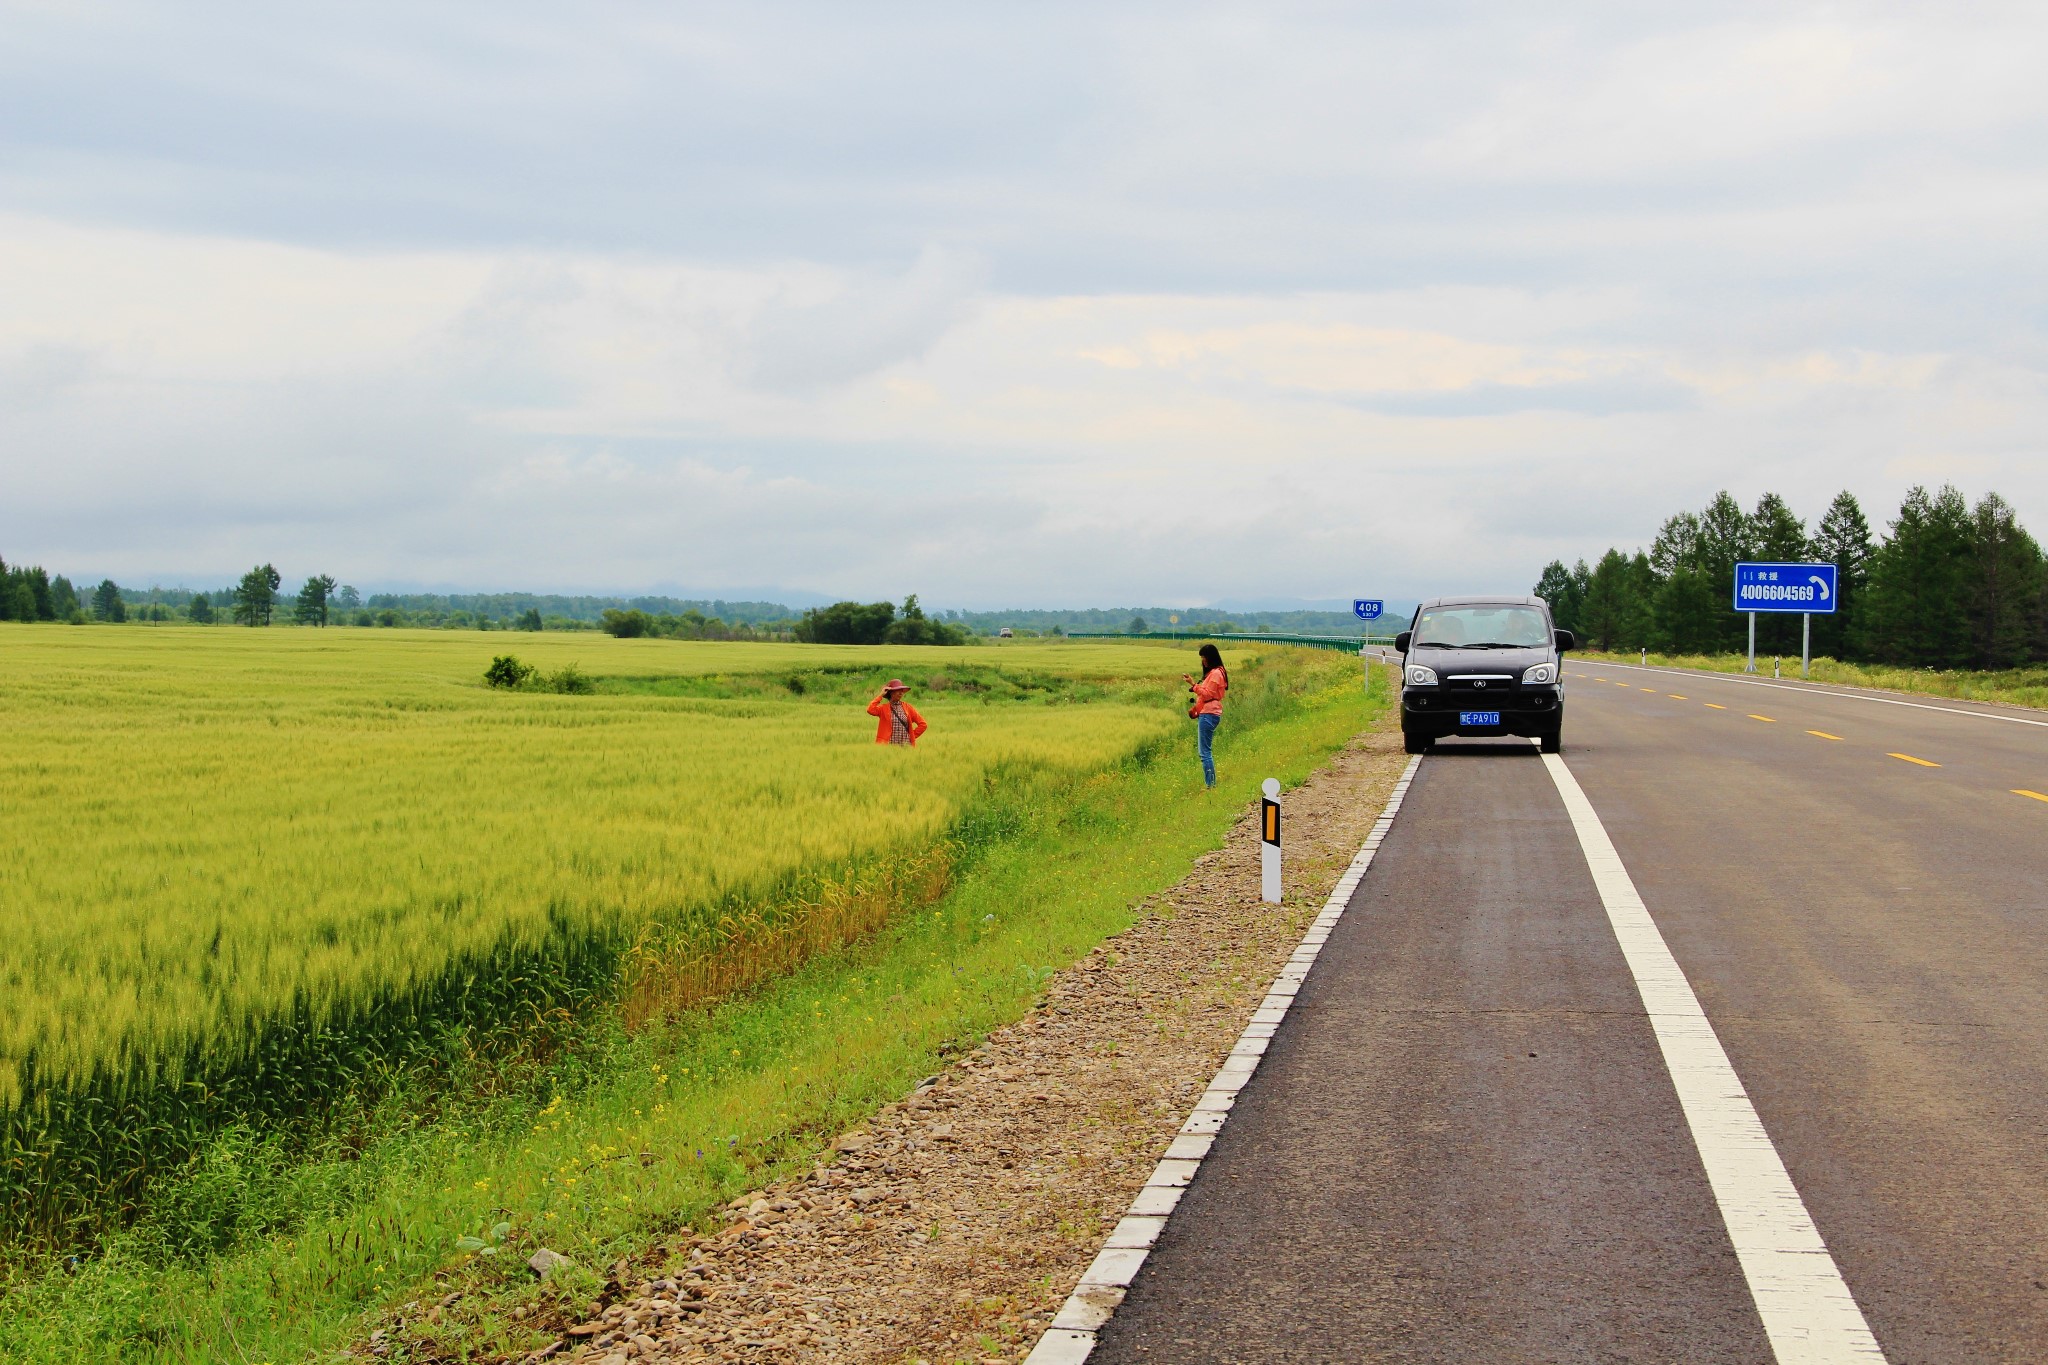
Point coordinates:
[[1109, 1278]]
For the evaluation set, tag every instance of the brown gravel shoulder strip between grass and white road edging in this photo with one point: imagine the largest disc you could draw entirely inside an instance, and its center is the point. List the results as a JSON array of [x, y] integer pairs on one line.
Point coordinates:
[[955, 1223]]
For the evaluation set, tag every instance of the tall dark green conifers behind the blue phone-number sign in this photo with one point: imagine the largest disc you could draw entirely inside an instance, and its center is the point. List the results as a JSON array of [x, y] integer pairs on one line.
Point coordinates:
[[1947, 586]]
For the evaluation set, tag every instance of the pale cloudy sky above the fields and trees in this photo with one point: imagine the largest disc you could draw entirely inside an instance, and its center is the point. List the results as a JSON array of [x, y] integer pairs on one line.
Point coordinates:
[[1005, 306]]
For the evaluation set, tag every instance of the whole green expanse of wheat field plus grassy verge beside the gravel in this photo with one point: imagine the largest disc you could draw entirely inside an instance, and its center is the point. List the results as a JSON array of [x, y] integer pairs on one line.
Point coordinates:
[[398, 961]]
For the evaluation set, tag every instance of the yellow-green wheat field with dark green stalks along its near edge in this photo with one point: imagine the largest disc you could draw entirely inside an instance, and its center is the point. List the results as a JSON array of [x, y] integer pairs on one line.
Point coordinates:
[[245, 869]]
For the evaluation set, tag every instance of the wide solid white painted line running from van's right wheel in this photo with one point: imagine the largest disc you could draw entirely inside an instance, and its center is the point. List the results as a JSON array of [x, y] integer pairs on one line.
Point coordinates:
[[1807, 1311]]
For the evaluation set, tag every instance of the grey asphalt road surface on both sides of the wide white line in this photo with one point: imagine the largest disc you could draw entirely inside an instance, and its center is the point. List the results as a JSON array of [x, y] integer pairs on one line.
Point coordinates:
[[1465, 1145]]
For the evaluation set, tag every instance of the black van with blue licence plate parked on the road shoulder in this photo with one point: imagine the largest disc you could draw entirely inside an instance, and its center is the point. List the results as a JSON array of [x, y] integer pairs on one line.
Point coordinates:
[[1484, 666]]
